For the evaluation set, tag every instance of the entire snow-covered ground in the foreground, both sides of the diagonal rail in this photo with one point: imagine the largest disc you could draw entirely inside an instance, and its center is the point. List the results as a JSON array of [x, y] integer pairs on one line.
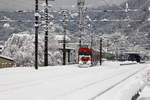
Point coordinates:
[[73, 83]]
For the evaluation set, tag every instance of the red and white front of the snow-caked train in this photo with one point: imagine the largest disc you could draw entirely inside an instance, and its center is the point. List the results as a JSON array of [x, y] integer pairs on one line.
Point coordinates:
[[85, 57]]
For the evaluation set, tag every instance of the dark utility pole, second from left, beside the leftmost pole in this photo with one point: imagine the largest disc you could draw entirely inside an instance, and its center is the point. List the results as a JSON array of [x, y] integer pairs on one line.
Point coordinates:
[[46, 35]]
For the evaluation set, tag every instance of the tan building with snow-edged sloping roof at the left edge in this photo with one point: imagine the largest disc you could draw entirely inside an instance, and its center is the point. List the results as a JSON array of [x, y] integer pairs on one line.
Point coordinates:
[[6, 62]]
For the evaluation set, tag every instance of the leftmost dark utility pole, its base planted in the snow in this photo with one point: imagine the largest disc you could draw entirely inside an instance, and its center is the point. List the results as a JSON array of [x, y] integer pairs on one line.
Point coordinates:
[[36, 33]]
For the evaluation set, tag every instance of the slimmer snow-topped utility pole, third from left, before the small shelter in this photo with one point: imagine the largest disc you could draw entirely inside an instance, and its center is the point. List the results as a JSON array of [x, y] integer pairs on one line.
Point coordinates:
[[64, 39]]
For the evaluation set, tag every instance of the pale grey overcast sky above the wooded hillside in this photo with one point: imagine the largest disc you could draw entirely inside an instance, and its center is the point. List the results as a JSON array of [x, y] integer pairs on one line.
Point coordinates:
[[29, 4]]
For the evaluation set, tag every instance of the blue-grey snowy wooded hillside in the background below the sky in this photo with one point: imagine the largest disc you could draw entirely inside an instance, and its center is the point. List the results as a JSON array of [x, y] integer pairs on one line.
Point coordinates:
[[136, 28]]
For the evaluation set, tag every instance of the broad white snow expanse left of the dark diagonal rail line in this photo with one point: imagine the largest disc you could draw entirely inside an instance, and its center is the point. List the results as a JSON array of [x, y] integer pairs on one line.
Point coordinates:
[[61, 83]]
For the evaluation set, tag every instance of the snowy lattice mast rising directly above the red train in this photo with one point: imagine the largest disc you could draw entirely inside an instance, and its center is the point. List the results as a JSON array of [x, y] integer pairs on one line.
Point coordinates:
[[80, 4]]
